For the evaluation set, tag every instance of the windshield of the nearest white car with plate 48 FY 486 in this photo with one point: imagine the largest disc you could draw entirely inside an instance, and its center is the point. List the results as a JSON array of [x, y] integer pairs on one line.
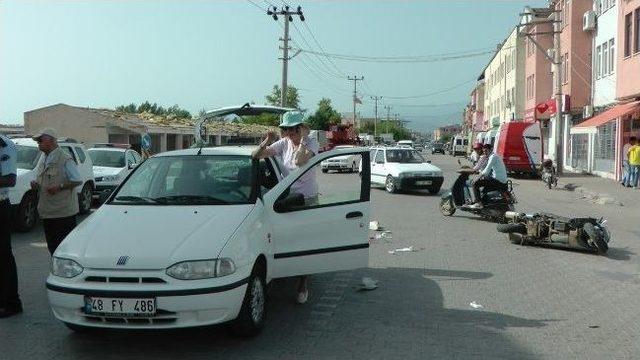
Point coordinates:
[[189, 180]]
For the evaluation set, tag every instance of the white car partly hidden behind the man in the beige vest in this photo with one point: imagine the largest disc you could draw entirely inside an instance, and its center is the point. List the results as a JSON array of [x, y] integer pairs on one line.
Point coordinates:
[[24, 201]]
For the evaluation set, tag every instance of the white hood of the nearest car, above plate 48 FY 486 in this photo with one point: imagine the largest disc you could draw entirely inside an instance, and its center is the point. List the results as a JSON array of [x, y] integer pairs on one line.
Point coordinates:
[[153, 237]]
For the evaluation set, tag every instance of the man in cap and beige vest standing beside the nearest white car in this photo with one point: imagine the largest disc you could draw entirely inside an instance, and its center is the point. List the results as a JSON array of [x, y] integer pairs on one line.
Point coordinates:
[[55, 183]]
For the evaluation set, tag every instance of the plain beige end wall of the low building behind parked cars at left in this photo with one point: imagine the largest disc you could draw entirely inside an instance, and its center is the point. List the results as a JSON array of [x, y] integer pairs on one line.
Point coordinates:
[[77, 123]]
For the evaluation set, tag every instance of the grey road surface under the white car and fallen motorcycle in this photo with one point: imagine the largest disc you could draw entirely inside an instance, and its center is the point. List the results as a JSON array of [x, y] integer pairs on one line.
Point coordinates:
[[535, 302]]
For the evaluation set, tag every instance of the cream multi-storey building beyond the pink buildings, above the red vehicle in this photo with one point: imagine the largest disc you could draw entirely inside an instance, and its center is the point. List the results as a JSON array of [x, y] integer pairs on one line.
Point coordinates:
[[505, 82]]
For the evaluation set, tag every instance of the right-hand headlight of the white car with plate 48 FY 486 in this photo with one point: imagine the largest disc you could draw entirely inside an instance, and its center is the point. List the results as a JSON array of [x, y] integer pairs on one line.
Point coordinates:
[[201, 269]]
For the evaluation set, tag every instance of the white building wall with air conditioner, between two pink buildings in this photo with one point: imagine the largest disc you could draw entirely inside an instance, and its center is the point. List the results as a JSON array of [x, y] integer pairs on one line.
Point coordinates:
[[604, 86]]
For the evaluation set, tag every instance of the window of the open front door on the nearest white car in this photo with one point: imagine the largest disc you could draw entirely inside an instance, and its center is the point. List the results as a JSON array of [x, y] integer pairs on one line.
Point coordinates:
[[349, 189]]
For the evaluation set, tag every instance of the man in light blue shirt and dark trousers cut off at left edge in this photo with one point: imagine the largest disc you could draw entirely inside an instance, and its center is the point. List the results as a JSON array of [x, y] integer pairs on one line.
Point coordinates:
[[9, 299]]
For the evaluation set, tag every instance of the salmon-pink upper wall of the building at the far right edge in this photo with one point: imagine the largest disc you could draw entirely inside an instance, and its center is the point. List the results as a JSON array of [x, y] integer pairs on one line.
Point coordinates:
[[628, 71]]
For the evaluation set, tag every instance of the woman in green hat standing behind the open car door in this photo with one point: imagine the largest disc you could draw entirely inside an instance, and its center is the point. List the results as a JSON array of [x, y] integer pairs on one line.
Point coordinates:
[[295, 148]]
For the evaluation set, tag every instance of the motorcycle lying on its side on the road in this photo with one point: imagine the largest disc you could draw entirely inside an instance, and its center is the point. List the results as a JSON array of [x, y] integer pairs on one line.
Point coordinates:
[[549, 229]]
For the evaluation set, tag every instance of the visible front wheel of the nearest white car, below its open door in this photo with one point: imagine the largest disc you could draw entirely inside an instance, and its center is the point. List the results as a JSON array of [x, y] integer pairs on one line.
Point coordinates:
[[252, 315]]
